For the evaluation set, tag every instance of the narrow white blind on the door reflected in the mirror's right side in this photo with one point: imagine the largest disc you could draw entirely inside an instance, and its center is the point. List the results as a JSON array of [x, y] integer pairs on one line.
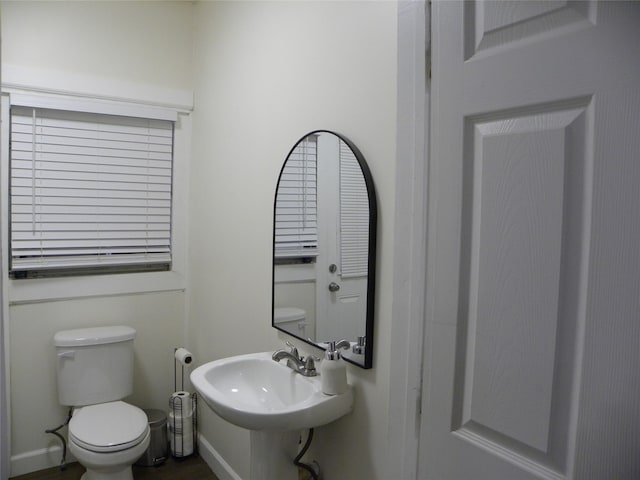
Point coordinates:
[[354, 216]]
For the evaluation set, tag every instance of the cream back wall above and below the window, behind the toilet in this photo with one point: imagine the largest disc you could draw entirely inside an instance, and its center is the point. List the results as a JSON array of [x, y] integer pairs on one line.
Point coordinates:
[[116, 49]]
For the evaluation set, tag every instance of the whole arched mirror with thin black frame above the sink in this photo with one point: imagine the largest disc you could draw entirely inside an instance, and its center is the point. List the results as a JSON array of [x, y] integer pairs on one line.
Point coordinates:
[[324, 245]]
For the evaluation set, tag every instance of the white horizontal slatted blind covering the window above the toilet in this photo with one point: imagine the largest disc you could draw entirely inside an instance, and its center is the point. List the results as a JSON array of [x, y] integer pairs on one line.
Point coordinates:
[[89, 191]]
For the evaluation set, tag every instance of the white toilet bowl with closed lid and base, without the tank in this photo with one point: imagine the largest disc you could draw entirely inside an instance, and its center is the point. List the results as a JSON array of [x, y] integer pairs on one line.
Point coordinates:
[[108, 438]]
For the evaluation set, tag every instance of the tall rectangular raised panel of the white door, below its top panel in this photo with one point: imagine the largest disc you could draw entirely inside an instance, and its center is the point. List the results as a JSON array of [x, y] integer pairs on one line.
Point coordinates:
[[516, 282]]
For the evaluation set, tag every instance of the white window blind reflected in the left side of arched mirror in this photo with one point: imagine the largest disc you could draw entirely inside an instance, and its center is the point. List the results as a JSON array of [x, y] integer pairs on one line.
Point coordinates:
[[296, 229]]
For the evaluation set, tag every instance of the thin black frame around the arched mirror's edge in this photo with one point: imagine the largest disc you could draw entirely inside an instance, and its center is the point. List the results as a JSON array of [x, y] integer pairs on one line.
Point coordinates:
[[371, 264]]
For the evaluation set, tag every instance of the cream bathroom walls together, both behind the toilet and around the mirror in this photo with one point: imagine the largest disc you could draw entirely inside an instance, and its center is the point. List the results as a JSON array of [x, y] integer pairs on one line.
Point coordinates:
[[264, 73]]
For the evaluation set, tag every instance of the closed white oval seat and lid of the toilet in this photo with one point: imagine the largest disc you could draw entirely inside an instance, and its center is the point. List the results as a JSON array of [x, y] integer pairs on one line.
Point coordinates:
[[108, 427]]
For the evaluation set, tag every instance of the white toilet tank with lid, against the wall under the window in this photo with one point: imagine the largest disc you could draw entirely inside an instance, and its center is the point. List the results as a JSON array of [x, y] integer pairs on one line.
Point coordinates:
[[94, 365]]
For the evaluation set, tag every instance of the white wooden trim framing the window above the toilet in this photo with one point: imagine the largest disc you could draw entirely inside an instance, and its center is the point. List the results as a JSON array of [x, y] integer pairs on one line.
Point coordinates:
[[58, 288]]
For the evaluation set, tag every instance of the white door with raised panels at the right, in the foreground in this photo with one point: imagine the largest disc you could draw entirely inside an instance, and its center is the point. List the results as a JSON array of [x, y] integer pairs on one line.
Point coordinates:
[[532, 365]]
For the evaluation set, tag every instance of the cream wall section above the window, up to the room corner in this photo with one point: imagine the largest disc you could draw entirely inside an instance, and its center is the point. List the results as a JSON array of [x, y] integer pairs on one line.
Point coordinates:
[[133, 41]]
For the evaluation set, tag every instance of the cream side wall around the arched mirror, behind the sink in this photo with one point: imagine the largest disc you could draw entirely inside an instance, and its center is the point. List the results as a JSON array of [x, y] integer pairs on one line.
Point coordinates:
[[267, 73]]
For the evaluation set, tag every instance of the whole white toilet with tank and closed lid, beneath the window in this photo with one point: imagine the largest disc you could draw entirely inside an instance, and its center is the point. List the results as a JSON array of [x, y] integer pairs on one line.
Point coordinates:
[[95, 372]]
